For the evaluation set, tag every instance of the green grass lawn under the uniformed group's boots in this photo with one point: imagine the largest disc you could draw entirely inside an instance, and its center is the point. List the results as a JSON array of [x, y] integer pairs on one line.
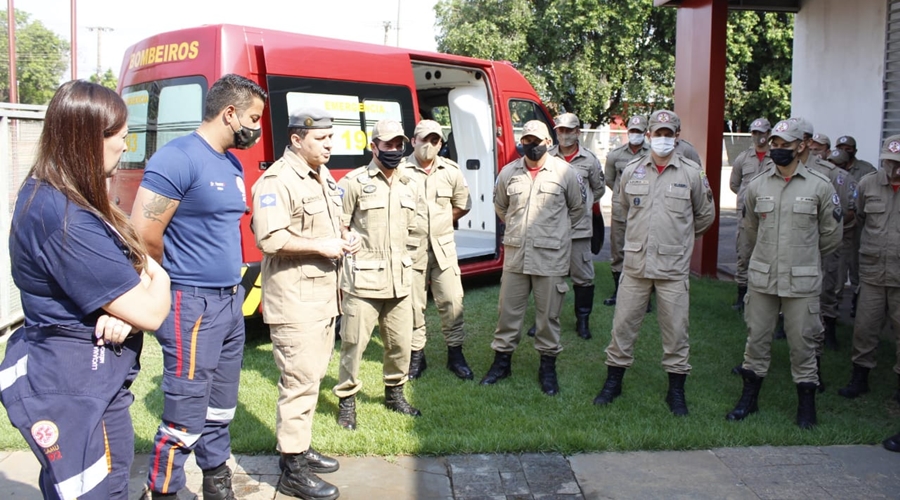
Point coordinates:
[[514, 416]]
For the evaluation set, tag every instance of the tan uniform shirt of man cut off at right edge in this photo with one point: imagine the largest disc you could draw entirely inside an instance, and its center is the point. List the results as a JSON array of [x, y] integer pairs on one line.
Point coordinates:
[[879, 250]]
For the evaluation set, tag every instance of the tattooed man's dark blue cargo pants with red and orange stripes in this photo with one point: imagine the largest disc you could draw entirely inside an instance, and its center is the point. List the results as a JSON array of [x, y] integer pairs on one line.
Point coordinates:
[[203, 344]]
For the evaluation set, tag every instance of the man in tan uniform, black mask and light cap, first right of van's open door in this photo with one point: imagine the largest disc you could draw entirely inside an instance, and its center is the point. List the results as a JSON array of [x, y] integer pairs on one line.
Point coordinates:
[[540, 198]]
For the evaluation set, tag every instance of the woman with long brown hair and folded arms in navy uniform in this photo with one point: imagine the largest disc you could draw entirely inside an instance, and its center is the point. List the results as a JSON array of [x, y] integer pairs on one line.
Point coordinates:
[[88, 290]]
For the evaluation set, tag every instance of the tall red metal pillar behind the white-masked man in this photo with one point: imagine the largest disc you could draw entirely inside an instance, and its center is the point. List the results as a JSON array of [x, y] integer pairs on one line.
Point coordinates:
[[700, 102]]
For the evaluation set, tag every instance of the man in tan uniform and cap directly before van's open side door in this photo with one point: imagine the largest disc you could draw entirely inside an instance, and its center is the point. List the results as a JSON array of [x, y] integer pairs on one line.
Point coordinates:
[[445, 199]]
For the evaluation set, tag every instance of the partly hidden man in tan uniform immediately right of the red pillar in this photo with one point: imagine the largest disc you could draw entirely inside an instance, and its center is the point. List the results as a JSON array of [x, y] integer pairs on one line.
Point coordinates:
[[746, 166]]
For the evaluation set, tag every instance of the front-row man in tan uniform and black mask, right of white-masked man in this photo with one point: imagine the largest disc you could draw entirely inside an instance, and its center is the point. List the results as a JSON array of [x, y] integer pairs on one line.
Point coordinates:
[[793, 218]]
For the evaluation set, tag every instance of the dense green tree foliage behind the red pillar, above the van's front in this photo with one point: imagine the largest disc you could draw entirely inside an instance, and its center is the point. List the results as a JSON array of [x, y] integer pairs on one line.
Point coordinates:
[[604, 59]]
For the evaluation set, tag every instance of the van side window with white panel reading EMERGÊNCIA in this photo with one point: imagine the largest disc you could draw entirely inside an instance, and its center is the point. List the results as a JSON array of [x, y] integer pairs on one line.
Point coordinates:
[[356, 107]]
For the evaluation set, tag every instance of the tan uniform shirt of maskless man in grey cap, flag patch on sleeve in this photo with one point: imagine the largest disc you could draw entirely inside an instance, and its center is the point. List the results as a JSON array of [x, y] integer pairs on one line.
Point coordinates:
[[293, 200]]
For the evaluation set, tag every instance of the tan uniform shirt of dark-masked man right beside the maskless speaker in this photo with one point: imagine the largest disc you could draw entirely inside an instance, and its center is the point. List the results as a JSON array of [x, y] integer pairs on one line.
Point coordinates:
[[383, 212]]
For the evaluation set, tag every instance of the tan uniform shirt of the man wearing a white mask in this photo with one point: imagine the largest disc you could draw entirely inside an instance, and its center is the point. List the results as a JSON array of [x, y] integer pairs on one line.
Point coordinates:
[[664, 213]]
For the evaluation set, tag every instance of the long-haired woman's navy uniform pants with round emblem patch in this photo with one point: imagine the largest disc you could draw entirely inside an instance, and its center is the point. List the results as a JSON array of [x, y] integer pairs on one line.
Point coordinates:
[[70, 399]]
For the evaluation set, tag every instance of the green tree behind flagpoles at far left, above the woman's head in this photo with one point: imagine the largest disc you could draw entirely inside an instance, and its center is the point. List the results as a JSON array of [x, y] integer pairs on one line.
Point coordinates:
[[41, 59]]
